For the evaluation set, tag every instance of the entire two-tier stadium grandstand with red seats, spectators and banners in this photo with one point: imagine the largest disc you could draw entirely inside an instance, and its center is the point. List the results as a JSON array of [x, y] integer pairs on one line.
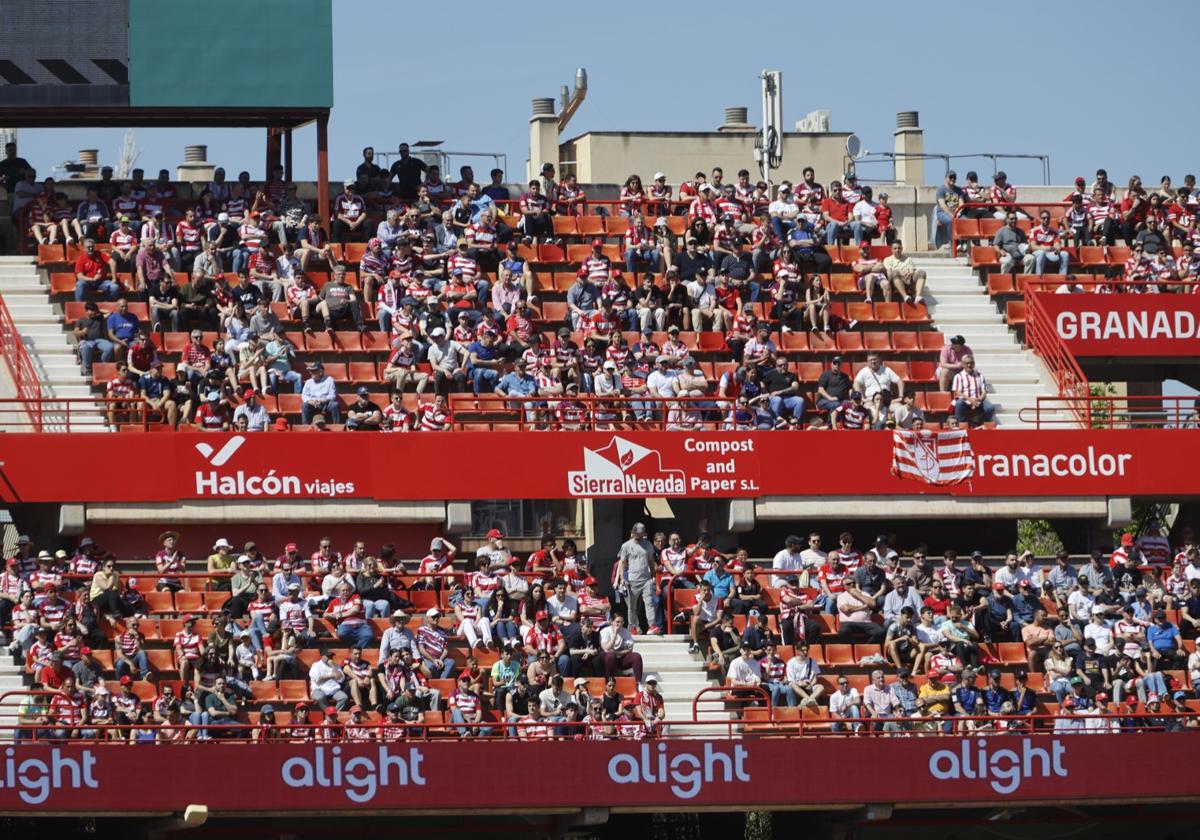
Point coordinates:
[[555, 566]]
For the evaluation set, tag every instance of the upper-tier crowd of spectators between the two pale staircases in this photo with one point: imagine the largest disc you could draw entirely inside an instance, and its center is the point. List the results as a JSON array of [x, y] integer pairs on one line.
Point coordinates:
[[443, 275]]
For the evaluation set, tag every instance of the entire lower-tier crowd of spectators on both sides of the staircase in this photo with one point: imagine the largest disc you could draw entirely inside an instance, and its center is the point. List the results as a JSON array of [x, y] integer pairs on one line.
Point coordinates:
[[1107, 635]]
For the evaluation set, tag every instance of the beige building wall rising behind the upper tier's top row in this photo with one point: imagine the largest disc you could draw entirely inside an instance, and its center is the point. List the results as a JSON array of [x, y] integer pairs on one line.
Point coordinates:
[[610, 158]]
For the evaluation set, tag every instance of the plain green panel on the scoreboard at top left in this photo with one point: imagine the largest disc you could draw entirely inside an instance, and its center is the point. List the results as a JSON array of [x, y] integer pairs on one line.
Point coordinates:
[[232, 53]]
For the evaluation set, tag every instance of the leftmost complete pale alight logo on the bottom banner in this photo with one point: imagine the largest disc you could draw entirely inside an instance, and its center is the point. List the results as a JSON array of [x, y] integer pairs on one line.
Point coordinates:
[[361, 778]]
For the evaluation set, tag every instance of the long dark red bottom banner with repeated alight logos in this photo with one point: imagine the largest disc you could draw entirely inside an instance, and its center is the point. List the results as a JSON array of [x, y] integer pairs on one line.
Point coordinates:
[[633, 775]]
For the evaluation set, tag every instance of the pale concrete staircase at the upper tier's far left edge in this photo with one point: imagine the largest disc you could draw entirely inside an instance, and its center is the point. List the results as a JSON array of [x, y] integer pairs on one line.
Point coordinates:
[[51, 349]]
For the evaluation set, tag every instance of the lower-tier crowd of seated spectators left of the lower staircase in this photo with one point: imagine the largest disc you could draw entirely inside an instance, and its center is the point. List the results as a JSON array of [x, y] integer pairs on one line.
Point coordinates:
[[541, 626]]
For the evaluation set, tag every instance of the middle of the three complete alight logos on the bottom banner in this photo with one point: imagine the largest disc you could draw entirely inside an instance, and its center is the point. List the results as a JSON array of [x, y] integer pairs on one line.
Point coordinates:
[[687, 773]]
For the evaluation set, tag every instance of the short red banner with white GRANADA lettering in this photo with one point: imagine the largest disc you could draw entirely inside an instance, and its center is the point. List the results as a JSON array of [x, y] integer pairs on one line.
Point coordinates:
[[1126, 325]]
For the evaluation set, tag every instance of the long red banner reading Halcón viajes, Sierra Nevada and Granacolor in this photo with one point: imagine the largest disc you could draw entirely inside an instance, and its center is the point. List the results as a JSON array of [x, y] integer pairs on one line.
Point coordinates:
[[574, 465]]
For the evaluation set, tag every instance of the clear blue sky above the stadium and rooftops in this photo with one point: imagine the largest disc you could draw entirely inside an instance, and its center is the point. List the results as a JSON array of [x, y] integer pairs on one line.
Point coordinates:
[[1021, 77]]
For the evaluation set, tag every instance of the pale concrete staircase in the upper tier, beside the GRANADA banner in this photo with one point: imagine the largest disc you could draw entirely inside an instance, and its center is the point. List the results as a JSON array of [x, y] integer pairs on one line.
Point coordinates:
[[959, 305]]
